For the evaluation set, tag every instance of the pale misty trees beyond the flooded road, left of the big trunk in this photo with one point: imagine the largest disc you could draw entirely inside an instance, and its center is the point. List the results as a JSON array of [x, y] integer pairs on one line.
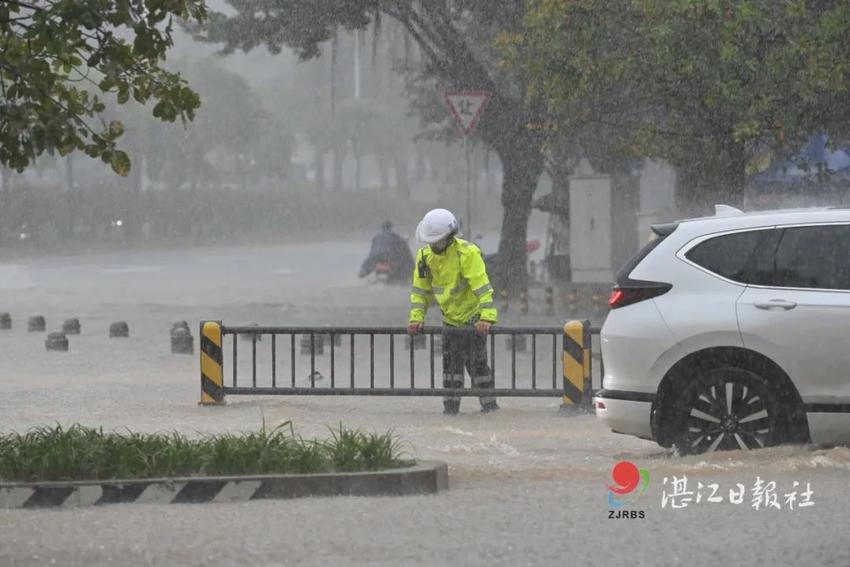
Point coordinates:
[[280, 149]]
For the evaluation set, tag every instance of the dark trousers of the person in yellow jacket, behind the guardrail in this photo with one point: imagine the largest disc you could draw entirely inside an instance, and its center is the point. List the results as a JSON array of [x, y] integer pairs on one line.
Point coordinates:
[[464, 348]]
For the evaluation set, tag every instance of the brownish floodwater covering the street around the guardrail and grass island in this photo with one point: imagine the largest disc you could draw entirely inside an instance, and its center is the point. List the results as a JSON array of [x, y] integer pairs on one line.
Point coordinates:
[[528, 483]]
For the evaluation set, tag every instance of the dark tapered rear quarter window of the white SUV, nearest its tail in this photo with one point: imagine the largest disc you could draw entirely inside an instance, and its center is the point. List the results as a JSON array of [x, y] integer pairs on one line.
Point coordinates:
[[744, 257]]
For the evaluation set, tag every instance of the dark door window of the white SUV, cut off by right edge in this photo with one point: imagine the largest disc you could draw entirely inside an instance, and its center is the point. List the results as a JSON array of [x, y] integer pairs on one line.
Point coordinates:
[[813, 257]]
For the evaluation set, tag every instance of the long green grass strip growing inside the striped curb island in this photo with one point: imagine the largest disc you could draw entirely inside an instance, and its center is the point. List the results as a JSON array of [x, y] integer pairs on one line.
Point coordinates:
[[81, 453]]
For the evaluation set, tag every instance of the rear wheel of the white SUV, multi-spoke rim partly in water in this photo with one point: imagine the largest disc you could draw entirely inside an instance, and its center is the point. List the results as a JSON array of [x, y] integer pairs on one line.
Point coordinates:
[[723, 409]]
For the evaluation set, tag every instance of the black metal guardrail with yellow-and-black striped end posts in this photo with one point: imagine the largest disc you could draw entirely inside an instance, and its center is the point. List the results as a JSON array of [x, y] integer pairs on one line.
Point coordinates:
[[528, 366]]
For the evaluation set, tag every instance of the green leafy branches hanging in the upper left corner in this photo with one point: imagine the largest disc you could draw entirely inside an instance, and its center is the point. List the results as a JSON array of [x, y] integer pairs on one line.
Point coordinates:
[[46, 105]]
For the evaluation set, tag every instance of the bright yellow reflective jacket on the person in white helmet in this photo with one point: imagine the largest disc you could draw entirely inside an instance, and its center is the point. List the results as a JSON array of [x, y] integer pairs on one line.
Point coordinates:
[[456, 280]]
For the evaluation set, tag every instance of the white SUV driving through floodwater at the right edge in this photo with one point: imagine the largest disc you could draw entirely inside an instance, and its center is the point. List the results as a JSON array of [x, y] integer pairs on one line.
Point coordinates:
[[733, 331]]
